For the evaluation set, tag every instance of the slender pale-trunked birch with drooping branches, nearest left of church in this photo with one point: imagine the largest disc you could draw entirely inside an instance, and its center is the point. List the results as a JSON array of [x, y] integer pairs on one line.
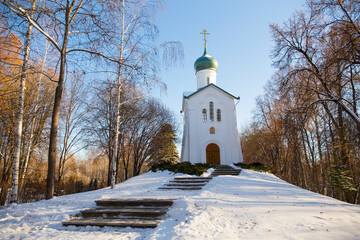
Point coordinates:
[[132, 49]]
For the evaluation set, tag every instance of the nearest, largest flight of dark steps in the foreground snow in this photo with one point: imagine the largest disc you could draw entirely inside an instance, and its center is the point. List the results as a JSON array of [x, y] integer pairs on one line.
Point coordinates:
[[135, 213]]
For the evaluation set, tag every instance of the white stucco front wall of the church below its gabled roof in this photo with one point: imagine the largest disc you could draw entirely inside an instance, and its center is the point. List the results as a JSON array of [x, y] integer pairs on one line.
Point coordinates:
[[196, 135]]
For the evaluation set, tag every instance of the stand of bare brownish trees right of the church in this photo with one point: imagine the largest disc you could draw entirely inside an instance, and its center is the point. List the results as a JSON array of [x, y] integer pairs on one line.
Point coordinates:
[[306, 124]]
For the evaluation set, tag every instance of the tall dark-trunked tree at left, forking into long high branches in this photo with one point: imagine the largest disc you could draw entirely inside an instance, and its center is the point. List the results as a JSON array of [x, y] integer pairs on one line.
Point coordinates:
[[69, 18]]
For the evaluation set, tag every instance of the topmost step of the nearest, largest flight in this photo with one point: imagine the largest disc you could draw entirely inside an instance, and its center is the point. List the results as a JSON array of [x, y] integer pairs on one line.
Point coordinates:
[[118, 202]]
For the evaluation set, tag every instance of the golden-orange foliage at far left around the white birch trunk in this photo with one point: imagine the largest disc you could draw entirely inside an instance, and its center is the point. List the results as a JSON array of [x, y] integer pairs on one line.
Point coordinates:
[[37, 110]]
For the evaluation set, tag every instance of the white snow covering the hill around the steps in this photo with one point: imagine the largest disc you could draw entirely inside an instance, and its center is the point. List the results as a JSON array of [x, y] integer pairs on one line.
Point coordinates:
[[252, 205]]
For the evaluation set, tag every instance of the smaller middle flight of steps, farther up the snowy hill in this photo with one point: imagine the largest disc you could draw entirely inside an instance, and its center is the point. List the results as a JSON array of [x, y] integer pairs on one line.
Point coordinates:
[[186, 183]]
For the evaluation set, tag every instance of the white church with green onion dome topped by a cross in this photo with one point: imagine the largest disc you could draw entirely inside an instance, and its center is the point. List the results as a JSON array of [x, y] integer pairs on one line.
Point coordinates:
[[210, 129]]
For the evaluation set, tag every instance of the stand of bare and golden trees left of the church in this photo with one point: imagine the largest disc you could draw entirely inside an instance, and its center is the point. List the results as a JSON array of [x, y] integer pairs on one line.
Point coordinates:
[[67, 41]]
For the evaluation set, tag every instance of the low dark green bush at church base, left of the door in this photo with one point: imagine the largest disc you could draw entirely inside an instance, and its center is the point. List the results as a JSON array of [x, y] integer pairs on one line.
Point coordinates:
[[184, 167]]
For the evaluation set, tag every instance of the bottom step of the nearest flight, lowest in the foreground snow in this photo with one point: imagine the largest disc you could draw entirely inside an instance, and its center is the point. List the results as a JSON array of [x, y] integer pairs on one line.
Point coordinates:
[[102, 222]]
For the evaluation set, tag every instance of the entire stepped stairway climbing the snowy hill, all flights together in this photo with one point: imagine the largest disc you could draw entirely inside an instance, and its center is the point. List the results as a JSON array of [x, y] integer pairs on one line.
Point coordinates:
[[145, 212]]
